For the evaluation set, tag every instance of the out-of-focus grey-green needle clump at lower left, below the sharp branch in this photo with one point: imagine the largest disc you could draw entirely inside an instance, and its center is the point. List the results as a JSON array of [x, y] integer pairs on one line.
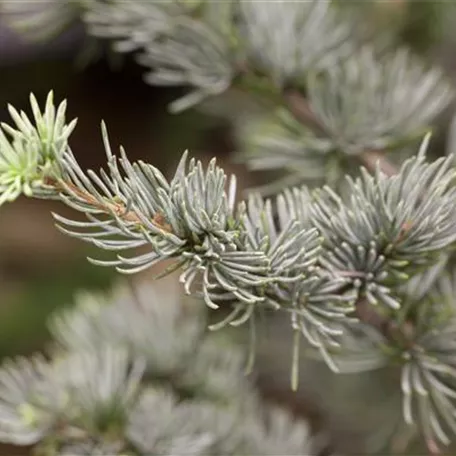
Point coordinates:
[[135, 375]]
